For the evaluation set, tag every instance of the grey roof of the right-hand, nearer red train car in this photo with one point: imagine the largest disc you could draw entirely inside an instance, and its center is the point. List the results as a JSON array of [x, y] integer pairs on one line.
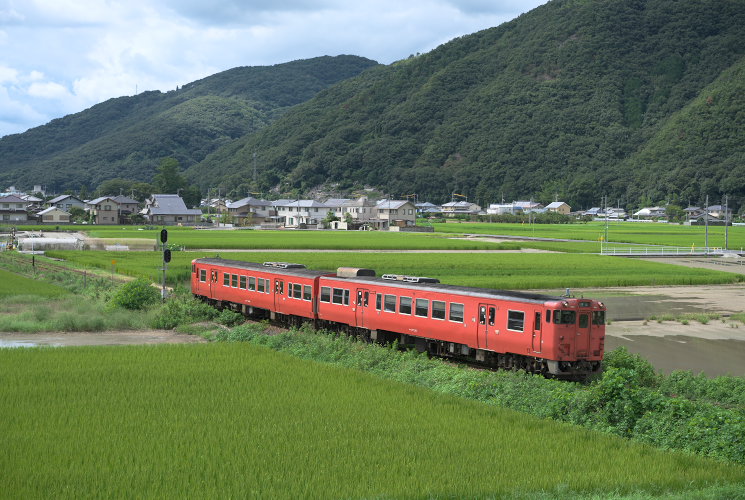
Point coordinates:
[[470, 291]]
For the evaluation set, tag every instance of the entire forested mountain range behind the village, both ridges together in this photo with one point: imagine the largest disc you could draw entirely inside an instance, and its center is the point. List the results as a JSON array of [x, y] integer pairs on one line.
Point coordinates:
[[640, 100]]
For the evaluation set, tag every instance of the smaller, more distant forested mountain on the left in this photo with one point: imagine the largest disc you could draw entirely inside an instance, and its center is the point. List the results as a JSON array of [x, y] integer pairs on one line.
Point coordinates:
[[127, 137]]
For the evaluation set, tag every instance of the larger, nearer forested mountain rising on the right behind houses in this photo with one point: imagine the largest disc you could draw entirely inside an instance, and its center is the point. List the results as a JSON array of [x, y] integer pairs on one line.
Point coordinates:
[[639, 100]]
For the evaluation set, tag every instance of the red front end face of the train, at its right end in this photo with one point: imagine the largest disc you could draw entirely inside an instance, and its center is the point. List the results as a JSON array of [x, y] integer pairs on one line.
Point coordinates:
[[574, 337]]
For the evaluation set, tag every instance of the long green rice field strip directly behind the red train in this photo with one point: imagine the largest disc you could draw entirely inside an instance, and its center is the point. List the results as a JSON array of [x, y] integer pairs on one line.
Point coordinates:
[[508, 271]]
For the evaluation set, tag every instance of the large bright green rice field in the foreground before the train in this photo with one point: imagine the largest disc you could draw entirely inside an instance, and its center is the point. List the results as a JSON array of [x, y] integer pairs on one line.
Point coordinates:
[[236, 420]]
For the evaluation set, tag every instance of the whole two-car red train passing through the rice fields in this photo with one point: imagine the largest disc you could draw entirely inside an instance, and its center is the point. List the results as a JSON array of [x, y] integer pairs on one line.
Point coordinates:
[[556, 336]]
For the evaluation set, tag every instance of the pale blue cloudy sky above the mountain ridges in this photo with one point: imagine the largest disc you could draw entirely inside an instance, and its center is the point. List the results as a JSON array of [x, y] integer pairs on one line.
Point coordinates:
[[59, 57]]
